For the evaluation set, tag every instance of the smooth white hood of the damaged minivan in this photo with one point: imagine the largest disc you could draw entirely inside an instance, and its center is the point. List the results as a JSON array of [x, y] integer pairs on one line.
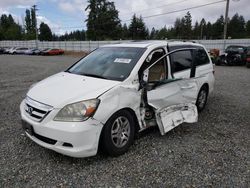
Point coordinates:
[[65, 88]]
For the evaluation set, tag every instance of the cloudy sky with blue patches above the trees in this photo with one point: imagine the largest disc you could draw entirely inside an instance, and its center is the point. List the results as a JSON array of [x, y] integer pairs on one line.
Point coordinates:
[[68, 15]]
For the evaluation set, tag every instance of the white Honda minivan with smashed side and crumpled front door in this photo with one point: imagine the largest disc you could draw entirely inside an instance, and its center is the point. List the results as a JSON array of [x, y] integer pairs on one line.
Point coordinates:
[[104, 99]]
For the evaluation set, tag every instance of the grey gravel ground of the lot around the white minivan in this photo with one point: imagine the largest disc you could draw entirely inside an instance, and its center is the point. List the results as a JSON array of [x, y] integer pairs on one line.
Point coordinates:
[[211, 153]]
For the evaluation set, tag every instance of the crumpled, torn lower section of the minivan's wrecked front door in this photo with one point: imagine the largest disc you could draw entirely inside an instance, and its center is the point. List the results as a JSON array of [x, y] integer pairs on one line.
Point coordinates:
[[172, 116]]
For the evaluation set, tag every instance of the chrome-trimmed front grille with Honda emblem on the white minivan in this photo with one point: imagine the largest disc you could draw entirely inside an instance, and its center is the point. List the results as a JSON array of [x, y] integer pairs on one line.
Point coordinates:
[[35, 110]]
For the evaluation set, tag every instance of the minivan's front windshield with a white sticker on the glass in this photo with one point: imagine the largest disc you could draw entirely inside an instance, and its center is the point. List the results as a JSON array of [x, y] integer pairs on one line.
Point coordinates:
[[114, 63]]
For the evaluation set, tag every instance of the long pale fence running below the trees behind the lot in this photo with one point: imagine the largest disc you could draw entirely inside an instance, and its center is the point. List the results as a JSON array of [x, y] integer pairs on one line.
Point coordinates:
[[91, 45]]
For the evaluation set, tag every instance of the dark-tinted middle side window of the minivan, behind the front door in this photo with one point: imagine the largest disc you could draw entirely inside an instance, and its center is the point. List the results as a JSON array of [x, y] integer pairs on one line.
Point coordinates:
[[181, 61]]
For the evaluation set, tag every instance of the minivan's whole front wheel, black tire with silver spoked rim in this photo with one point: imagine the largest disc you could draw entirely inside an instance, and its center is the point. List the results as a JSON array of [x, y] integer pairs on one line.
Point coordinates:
[[123, 127]]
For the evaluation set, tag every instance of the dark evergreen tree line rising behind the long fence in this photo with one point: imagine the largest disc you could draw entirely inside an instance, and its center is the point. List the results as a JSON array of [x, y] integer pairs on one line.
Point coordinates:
[[103, 23]]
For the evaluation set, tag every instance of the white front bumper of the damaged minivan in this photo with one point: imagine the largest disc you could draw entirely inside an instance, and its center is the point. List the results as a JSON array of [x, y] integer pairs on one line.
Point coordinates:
[[75, 139]]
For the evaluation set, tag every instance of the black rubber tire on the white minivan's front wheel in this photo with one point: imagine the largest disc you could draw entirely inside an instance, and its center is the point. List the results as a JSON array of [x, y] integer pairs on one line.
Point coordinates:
[[108, 141]]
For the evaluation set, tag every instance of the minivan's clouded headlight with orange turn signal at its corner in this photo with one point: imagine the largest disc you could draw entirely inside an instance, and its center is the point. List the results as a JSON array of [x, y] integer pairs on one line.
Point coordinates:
[[79, 111]]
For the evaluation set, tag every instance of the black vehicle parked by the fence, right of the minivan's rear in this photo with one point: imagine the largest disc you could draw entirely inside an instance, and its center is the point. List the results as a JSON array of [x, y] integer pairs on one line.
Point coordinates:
[[234, 55]]
